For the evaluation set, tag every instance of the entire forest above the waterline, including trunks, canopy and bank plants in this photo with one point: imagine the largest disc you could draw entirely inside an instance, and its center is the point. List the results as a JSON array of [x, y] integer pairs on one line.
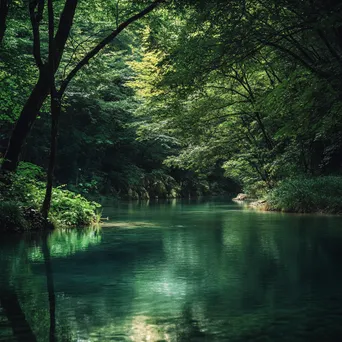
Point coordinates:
[[167, 99]]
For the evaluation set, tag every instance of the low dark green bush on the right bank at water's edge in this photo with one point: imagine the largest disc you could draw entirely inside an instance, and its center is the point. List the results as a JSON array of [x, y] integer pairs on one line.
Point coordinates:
[[304, 195]]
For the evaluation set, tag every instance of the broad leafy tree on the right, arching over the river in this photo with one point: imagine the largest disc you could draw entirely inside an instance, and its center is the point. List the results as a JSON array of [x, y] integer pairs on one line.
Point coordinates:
[[241, 85]]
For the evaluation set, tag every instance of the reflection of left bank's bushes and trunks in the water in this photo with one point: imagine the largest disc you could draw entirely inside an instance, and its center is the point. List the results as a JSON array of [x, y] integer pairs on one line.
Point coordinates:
[[27, 308]]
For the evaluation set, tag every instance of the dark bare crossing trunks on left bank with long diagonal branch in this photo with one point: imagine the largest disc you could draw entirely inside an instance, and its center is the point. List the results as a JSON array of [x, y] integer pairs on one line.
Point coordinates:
[[47, 83]]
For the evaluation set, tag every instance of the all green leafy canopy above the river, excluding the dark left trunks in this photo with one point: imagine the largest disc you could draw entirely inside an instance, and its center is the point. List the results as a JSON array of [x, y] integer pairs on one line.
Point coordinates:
[[250, 89]]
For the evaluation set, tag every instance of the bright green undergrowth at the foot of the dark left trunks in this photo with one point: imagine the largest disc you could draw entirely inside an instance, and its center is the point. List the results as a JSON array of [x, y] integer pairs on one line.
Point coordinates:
[[22, 196]]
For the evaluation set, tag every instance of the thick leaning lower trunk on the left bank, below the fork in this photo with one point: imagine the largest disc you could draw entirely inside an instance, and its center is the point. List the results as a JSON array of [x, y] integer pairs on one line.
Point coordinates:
[[24, 124]]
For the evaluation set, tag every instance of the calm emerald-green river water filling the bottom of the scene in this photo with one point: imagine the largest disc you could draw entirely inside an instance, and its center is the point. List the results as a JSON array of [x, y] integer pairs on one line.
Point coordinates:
[[177, 271]]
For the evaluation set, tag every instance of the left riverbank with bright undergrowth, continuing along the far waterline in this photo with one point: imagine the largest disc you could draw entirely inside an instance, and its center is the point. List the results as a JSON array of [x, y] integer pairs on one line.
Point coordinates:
[[22, 194]]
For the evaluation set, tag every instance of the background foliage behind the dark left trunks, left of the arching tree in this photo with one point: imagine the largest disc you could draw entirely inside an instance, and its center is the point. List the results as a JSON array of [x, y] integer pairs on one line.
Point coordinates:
[[101, 148]]
